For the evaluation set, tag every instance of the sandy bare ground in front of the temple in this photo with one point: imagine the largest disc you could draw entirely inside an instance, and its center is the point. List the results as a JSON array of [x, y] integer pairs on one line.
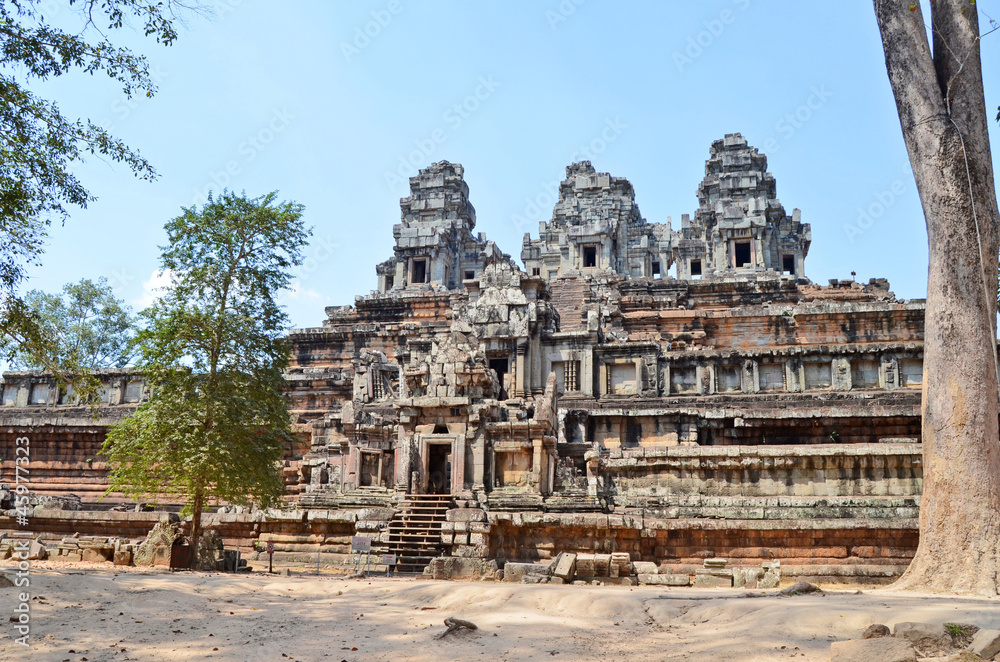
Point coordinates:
[[92, 614]]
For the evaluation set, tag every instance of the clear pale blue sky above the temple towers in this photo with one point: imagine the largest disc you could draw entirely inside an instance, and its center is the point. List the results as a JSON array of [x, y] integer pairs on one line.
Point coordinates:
[[335, 104]]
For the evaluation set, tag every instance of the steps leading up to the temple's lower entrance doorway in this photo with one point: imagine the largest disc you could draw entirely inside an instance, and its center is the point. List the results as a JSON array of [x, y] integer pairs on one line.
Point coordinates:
[[415, 530]]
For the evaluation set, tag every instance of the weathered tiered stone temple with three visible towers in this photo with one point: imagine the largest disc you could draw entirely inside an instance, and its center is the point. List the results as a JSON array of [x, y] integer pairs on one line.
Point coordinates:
[[589, 402]]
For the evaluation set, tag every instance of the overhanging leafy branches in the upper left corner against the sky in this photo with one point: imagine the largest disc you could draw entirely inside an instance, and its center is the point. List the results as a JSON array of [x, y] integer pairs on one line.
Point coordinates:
[[39, 145]]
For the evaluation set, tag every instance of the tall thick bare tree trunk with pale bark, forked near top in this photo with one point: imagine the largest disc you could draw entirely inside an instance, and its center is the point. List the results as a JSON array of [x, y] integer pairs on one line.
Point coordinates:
[[942, 112]]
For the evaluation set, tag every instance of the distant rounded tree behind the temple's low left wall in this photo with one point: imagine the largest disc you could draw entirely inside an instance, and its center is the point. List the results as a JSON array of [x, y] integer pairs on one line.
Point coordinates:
[[89, 328]]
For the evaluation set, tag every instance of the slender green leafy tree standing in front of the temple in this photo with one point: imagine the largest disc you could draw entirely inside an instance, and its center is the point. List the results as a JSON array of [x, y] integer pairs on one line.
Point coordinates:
[[216, 428]]
